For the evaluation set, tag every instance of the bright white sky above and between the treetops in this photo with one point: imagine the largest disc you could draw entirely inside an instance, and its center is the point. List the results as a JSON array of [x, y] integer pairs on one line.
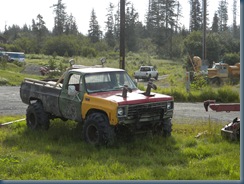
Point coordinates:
[[20, 12]]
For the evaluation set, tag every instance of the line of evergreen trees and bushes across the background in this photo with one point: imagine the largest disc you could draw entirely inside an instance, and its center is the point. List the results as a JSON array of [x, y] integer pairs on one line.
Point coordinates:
[[161, 35]]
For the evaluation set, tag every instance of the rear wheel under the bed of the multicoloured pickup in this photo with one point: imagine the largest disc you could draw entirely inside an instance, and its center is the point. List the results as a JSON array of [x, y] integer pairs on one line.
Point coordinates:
[[36, 117]]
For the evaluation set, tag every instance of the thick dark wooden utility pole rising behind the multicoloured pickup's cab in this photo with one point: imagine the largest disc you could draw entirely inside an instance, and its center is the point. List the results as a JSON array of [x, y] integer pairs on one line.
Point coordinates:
[[122, 34]]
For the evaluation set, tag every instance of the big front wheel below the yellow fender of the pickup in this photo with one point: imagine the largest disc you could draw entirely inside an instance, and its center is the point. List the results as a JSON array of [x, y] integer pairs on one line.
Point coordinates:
[[97, 131]]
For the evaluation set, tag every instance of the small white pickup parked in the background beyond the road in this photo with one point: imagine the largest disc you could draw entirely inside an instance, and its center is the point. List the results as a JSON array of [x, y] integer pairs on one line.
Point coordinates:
[[146, 73]]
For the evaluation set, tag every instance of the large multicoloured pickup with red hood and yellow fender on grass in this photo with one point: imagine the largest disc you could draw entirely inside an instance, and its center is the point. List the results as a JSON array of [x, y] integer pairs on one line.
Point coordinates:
[[104, 100]]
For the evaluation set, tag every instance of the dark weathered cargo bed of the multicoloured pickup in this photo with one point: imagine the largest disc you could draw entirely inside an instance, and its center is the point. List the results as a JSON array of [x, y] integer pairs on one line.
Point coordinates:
[[45, 91]]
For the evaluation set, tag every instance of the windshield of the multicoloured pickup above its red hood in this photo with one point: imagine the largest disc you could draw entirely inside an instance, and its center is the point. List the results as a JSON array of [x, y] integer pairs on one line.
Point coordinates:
[[107, 81]]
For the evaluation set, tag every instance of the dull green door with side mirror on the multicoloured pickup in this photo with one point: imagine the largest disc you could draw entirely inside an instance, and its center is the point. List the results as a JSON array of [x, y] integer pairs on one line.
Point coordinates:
[[71, 97]]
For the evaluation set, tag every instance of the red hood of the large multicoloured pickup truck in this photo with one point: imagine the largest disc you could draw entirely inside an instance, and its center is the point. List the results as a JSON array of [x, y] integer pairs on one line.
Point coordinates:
[[135, 97]]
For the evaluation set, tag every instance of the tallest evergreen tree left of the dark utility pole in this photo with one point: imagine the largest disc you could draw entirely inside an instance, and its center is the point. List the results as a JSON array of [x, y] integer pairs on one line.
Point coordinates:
[[60, 18]]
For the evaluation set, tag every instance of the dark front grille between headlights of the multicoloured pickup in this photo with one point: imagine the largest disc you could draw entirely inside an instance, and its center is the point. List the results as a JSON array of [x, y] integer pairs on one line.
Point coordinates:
[[150, 108]]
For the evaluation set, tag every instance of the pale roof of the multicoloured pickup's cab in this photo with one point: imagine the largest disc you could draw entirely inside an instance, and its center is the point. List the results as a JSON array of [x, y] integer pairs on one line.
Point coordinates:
[[97, 69]]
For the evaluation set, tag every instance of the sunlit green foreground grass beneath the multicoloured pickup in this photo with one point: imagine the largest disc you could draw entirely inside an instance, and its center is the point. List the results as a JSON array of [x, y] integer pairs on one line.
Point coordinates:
[[61, 154]]
